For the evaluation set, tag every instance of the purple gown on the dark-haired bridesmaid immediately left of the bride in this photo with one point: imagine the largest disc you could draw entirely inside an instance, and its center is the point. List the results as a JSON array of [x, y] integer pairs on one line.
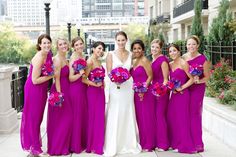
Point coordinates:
[[96, 118]]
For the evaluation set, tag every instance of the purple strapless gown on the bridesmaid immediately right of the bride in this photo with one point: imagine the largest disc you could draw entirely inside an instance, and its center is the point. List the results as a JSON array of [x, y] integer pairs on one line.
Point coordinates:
[[145, 111]]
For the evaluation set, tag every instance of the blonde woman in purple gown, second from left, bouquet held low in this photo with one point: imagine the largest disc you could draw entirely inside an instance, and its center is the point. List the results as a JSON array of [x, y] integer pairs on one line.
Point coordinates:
[[59, 121]]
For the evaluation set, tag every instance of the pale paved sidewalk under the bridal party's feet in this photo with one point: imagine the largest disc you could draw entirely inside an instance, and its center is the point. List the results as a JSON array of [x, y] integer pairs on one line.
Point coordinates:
[[10, 147]]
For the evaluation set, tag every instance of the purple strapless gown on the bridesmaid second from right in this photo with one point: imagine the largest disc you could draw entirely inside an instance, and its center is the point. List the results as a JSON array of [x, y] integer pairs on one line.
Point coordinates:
[[178, 116]]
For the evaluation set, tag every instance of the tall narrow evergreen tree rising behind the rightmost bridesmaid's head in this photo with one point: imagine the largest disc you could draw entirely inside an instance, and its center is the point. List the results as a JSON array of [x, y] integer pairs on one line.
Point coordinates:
[[196, 28]]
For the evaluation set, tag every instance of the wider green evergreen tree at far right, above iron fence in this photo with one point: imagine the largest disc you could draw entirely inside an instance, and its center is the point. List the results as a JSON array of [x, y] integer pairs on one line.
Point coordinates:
[[219, 29]]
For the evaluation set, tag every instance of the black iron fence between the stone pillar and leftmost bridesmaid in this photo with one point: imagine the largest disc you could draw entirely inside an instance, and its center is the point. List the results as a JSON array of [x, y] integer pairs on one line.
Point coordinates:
[[17, 87]]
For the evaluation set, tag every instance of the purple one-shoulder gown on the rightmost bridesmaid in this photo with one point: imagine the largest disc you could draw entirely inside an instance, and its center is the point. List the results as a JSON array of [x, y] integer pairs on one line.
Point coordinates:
[[196, 102]]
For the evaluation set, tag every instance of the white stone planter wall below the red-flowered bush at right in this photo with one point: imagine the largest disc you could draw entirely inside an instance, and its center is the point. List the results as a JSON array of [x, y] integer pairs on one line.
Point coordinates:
[[220, 121]]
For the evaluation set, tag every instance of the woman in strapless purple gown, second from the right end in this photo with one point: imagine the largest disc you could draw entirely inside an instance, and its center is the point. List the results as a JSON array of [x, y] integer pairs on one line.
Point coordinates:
[[178, 108]]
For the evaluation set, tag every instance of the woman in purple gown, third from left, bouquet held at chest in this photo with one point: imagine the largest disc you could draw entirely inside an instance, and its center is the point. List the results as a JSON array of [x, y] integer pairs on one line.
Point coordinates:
[[78, 99]]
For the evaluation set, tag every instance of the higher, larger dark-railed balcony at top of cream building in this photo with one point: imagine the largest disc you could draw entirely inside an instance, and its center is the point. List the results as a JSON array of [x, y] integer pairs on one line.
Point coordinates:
[[186, 7]]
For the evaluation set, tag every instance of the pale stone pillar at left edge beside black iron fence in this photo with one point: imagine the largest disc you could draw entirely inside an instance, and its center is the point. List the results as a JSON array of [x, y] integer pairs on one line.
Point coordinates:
[[8, 115]]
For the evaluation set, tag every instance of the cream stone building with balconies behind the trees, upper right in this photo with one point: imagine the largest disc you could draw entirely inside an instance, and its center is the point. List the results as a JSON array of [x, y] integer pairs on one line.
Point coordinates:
[[174, 17]]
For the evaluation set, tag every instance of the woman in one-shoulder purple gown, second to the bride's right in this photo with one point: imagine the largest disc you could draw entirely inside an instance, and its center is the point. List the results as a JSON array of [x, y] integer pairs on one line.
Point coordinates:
[[160, 68]]
